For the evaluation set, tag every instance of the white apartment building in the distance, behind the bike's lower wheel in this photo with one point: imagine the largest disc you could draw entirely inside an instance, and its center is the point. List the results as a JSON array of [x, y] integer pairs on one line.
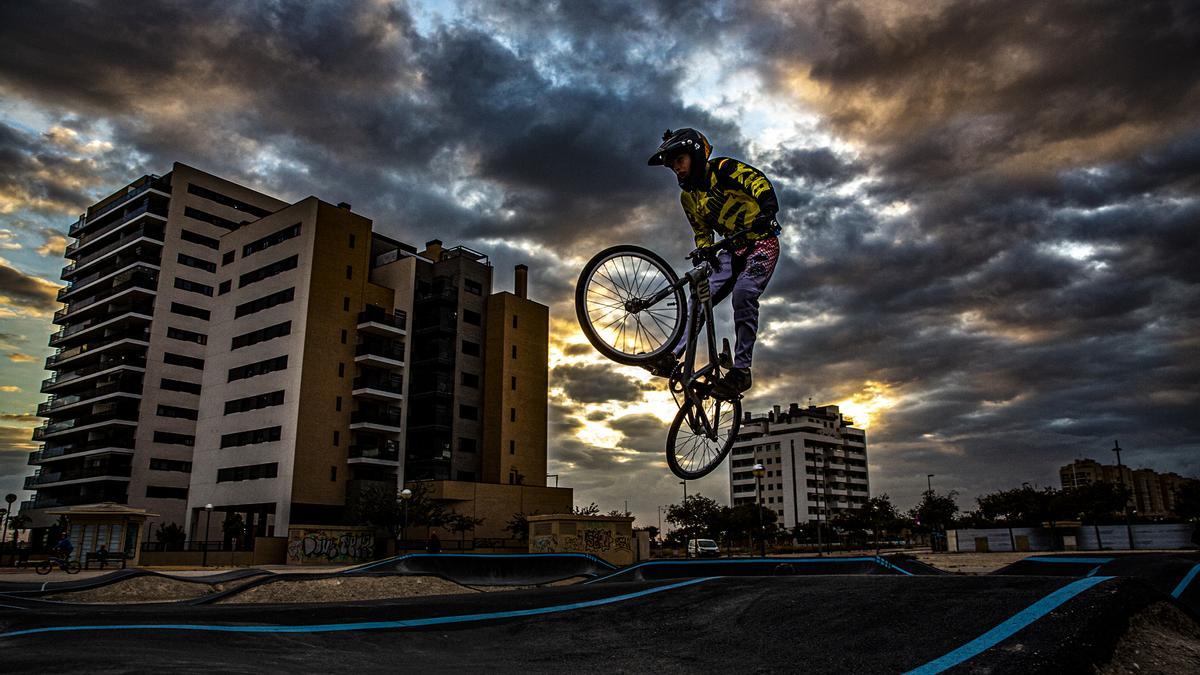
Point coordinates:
[[814, 462]]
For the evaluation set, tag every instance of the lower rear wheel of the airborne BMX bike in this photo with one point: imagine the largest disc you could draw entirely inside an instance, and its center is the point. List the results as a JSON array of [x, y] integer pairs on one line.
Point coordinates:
[[699, 441]]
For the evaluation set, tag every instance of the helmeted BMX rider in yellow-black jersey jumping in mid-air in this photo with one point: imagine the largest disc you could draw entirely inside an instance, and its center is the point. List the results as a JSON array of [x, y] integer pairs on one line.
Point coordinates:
[[723, 195]]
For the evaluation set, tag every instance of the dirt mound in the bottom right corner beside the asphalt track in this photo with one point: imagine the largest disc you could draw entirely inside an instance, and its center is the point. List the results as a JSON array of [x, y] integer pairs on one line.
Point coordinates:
[[1161, 640]]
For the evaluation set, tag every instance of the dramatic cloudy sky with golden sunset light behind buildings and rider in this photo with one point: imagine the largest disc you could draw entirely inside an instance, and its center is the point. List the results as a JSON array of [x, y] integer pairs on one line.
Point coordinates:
[[992, 254]]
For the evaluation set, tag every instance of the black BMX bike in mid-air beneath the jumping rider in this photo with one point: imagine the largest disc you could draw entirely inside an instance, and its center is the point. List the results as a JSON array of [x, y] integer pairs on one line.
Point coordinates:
[[632, 307]]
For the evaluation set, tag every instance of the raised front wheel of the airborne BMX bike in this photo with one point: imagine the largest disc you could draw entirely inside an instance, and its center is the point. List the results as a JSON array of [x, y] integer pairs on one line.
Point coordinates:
[[613, 284]]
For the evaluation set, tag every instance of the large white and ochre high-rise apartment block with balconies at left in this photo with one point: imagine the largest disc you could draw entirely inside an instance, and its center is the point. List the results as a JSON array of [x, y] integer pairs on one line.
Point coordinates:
[[224, 348]]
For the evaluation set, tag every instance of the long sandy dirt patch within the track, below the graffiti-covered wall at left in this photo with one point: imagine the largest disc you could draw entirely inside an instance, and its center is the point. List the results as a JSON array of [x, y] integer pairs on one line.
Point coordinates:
[[345, 589]]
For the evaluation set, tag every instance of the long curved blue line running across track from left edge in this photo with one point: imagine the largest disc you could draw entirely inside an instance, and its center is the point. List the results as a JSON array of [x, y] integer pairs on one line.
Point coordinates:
[[364, 625]]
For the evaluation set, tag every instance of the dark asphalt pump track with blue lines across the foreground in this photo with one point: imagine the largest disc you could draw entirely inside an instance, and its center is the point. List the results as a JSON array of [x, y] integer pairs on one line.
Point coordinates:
[[1064, 613]]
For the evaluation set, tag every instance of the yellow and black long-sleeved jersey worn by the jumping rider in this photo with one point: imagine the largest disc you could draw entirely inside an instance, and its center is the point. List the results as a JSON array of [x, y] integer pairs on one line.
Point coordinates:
[[736, 198]]
